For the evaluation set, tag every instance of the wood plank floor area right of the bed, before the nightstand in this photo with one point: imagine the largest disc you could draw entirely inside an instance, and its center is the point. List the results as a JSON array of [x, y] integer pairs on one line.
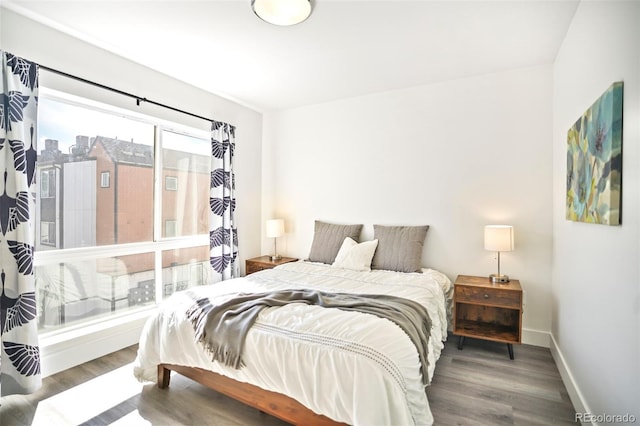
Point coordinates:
[[480, 385]]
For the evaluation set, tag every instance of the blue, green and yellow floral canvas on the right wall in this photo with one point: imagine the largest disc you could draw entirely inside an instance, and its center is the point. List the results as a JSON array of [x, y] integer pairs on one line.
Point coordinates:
[[594, 161]]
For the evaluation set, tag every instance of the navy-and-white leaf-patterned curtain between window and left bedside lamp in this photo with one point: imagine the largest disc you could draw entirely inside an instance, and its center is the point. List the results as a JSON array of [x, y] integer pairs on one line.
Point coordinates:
[[223, 235]]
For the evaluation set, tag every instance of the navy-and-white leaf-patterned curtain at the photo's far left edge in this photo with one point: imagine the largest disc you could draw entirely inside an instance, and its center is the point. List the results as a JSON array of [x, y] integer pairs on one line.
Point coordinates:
[[20, 357]]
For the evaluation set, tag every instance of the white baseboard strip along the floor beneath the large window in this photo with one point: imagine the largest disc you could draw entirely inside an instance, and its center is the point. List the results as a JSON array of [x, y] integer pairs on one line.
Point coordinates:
[[61, 351]]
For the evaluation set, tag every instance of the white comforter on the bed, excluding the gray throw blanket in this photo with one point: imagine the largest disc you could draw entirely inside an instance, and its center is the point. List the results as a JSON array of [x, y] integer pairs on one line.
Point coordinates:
[[352, 367]]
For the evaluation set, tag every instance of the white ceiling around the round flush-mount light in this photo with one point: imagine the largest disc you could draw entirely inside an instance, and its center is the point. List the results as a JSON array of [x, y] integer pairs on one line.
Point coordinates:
[[345, 49]]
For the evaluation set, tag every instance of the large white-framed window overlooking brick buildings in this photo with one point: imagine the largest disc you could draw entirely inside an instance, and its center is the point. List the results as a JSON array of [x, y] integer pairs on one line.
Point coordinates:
[[102, 245]]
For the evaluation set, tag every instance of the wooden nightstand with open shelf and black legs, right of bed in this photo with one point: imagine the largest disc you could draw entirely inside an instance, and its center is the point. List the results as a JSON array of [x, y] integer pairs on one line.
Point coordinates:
[[487, 311]]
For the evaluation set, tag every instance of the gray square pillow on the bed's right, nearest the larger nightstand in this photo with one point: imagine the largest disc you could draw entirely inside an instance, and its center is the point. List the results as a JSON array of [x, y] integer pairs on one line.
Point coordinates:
[[399, 247]]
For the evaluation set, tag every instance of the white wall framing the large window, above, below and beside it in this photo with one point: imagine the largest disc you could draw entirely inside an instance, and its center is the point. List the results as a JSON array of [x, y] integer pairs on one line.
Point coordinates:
[[55, 49]]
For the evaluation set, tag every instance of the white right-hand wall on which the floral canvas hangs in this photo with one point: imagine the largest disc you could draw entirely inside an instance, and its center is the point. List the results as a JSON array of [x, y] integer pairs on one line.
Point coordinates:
[[596, 279]]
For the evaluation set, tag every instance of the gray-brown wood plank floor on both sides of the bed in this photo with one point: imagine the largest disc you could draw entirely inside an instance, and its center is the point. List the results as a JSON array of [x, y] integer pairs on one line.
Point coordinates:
[[476, 386]]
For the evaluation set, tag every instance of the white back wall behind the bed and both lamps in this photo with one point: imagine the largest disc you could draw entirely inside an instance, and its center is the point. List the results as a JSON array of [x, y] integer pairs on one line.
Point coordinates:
[[456, 155]]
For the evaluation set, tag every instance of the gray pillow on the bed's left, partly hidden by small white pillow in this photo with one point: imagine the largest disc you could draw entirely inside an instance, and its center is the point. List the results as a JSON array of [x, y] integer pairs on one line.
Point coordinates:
[[328, 238]]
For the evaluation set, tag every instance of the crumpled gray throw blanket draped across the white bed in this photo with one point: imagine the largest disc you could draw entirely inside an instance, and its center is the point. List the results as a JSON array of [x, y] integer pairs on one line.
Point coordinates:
[[222, 328]]
